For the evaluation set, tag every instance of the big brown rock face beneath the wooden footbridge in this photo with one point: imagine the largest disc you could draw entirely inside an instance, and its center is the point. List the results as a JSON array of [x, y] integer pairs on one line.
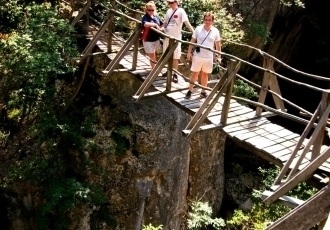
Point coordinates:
[[149, 169]]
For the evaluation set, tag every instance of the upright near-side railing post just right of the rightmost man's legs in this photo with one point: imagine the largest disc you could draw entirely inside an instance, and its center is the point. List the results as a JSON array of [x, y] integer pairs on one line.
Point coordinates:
[[229, 91]]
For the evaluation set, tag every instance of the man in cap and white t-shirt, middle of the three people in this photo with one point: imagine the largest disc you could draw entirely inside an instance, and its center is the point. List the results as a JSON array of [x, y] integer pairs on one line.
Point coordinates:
[[174, 19]]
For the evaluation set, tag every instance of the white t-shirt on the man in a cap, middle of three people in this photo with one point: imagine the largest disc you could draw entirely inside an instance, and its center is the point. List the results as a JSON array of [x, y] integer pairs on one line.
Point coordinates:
[[174, 25]]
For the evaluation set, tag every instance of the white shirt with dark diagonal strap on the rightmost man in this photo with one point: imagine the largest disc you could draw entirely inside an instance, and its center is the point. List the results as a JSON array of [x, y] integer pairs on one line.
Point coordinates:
[[213, 35]]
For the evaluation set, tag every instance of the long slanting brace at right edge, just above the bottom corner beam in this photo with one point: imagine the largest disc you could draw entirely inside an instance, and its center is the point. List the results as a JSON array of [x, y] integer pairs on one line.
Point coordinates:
[[301, 176]]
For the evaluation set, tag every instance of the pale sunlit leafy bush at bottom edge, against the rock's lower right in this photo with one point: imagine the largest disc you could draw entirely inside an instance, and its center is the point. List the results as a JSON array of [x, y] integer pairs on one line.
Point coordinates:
[[200, 217]]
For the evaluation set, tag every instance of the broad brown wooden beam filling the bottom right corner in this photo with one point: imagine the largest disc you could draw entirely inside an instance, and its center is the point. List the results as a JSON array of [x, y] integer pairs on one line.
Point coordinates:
[[306, 215]]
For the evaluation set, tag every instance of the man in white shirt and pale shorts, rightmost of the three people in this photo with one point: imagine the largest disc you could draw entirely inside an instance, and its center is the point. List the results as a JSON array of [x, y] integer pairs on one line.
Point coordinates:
[[202, 59]]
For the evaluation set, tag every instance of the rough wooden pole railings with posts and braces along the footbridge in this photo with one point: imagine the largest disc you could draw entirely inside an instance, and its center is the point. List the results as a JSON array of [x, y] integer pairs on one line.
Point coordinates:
[[224, 87]]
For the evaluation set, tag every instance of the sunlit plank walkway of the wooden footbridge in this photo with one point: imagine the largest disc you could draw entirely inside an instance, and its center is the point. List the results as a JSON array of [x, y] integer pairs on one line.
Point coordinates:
[[257, 134]]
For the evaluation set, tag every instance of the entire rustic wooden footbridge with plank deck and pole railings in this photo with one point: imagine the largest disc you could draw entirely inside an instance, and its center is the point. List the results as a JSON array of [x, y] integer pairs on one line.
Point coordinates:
[[299, 157]]
